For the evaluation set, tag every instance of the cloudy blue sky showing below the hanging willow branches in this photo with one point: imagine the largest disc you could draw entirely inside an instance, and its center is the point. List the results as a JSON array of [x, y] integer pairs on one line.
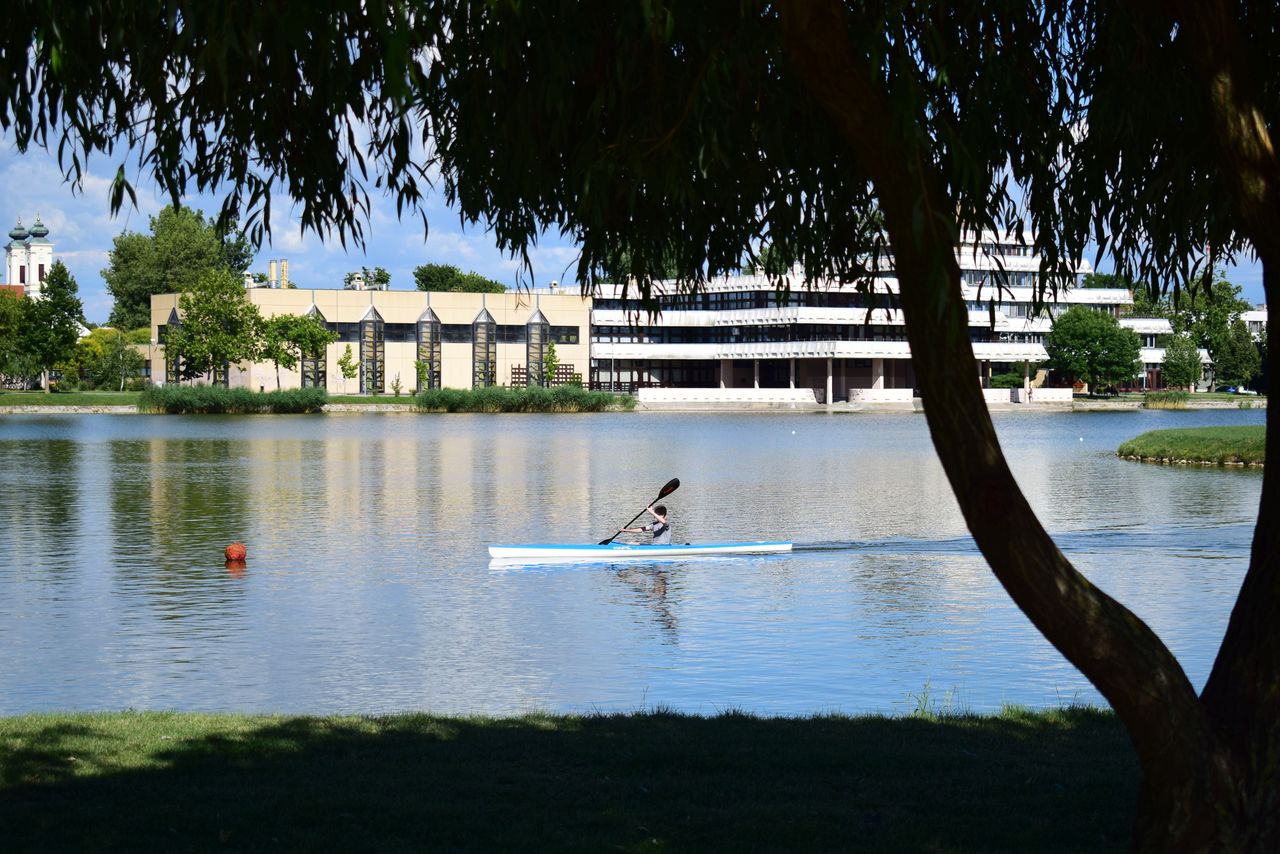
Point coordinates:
[[83, 230]]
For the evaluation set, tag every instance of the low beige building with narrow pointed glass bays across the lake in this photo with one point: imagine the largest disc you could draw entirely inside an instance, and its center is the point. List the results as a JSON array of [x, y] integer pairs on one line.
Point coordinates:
[[463, 340]]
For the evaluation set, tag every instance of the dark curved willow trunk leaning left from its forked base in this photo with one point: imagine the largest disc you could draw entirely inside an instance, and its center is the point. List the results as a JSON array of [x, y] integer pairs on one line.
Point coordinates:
[[1209, 769]]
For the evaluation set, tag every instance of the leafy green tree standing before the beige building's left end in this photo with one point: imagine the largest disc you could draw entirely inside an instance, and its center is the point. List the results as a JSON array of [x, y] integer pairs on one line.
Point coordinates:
[[220, 327]]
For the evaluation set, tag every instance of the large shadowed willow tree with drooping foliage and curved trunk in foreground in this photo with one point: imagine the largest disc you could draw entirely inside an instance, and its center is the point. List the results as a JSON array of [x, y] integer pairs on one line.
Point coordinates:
[[691, 135]]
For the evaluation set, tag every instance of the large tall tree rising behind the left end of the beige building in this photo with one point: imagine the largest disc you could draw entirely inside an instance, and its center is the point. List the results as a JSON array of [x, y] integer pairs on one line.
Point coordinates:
[[180, 250]]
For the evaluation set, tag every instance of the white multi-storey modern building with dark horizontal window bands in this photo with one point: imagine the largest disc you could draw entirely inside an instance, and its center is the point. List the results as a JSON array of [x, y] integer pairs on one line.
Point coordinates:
[[842, 344]]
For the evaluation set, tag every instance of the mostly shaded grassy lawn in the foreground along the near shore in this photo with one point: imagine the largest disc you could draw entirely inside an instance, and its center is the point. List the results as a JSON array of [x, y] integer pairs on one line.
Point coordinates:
[[1062, 780]]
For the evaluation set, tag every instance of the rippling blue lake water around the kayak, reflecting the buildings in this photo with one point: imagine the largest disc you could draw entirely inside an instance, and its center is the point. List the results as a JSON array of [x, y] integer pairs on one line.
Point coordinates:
[[368, 587]]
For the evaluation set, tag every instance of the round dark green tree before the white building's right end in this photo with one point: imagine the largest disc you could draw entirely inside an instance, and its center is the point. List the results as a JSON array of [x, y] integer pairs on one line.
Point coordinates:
[[1094, 346]]
